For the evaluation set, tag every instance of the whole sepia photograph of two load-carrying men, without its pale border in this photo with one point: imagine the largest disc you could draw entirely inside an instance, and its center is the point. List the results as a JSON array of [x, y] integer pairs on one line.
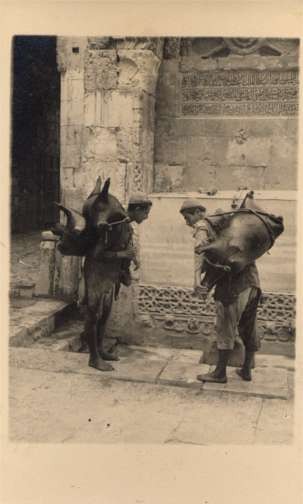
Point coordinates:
[[153, 223]]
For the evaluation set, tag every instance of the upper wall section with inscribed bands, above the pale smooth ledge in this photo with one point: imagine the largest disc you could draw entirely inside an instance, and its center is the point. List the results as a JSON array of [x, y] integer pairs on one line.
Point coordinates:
[[227, 115]]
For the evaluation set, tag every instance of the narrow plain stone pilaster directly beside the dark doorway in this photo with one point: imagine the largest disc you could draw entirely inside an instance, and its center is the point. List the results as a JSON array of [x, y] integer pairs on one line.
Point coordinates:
[[70, 60]]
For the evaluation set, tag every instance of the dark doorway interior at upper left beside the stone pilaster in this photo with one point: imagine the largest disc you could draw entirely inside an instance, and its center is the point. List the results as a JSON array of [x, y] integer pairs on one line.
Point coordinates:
[[35, 133]]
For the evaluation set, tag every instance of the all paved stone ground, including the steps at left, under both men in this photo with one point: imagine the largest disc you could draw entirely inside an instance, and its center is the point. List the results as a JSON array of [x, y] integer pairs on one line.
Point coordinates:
[[151, 397]]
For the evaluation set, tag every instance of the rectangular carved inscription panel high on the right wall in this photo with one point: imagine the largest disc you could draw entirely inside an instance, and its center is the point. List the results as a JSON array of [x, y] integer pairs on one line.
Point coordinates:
[[240, 92]]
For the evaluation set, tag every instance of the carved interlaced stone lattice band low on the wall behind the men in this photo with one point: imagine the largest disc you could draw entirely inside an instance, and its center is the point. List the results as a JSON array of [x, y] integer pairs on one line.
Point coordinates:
[[176, 309]]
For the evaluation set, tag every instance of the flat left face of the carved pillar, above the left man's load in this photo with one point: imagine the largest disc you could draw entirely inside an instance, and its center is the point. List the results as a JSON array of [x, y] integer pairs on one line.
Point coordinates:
[[102, 109]]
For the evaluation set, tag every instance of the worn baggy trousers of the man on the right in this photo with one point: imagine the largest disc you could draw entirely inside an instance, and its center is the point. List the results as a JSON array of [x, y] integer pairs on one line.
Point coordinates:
[[238, 319]]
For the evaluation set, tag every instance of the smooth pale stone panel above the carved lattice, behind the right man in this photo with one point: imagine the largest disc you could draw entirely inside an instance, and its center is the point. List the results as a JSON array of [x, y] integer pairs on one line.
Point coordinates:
[[167, 244]]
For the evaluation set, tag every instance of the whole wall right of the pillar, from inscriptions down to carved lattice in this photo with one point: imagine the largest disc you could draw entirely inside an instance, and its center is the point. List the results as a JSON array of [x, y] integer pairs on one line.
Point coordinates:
[[226, 119]]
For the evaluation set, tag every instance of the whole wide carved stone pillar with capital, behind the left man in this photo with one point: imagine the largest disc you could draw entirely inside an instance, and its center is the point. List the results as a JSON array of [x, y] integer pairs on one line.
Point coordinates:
[[118, 141]]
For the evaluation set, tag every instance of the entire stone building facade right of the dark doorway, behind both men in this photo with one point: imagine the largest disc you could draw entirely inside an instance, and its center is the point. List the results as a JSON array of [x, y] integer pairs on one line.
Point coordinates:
[[177, 118]]
